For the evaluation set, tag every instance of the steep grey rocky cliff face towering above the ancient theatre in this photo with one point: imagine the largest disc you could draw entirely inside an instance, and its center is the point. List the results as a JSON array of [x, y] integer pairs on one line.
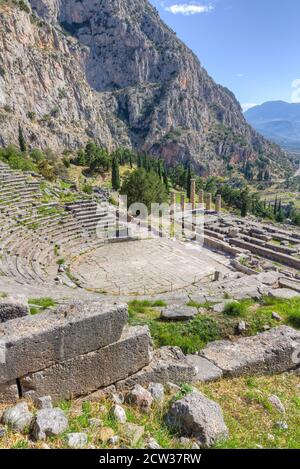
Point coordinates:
[[113, 71]]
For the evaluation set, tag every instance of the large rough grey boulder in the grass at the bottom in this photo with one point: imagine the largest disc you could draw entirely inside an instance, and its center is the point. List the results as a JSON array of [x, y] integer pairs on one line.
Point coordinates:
[[198, 417]]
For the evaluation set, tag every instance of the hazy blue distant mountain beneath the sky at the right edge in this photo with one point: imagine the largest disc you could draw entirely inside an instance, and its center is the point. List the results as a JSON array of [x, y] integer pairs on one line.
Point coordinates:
[[278, 121]]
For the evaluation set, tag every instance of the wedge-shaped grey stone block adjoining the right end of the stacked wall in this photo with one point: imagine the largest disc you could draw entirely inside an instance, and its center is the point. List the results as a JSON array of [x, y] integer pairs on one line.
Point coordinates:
[[168, 364]]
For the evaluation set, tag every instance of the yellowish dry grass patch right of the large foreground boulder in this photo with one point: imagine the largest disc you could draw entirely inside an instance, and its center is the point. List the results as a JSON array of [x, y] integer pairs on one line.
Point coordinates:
[[250, 417]]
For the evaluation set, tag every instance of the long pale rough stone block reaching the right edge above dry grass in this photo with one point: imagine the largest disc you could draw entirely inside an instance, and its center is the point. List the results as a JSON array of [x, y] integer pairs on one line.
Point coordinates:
[[269, 352]]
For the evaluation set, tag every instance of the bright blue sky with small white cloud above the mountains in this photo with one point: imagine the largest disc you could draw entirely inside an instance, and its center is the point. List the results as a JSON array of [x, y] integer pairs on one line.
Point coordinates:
[[250, 46]]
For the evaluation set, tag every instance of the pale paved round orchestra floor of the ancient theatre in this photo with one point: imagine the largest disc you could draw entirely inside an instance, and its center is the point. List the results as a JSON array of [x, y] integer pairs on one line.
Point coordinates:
[[144, 267]]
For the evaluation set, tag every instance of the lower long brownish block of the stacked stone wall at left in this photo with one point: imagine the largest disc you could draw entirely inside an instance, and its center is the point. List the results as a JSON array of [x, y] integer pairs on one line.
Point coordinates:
[[86, 373]]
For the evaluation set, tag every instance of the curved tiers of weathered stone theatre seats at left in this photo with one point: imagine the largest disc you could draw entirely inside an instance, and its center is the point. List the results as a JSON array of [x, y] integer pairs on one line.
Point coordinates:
[[33, 234]]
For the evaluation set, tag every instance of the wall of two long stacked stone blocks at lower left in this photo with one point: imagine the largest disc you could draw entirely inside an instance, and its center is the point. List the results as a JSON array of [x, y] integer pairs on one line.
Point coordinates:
[[73, 351]]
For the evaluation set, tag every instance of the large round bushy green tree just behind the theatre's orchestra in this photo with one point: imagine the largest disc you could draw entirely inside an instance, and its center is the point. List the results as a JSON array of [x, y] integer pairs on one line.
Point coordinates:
[[144, 187]]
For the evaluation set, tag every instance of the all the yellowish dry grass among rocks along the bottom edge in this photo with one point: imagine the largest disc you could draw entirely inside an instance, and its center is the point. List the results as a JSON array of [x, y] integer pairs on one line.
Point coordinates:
[[248, 414]]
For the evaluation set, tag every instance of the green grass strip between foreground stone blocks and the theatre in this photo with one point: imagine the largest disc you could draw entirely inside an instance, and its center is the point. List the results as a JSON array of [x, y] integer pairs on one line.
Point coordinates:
[[209, 326]]
